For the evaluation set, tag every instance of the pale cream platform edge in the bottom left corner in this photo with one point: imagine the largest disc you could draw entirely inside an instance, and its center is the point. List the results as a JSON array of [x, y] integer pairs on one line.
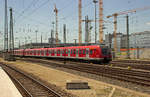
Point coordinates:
[[7, 87]]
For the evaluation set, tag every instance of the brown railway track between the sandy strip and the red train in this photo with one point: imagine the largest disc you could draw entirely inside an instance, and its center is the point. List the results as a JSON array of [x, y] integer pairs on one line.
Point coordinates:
[[134, 76]]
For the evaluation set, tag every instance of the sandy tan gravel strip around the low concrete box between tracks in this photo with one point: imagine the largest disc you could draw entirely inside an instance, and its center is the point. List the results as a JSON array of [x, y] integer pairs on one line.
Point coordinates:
[[98, 89]]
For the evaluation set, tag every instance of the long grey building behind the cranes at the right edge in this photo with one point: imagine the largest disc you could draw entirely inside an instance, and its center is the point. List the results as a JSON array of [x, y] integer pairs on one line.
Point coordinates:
[[136, 40]]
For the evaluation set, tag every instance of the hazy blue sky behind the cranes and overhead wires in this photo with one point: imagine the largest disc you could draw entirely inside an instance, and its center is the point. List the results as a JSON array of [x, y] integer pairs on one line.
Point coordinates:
[[32, 15]]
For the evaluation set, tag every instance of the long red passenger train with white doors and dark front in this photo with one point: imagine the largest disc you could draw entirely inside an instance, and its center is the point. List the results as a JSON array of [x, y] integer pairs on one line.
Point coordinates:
[[90, 53]]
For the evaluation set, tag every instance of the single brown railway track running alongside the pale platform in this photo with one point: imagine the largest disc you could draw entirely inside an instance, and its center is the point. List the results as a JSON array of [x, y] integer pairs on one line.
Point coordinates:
[[29, 86]]
